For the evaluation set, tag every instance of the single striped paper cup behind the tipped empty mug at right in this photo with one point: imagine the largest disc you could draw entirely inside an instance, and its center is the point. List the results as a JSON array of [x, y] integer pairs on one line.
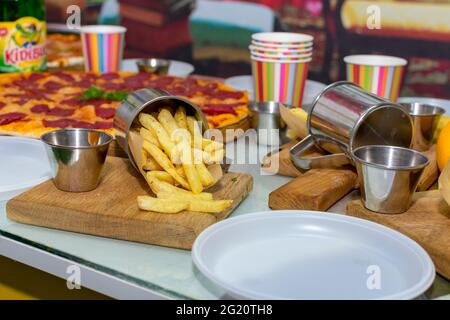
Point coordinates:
[[381, 75]]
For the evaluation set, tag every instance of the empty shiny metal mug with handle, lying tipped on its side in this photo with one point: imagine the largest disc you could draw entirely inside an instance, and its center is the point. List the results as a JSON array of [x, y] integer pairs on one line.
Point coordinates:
[[344, 117]]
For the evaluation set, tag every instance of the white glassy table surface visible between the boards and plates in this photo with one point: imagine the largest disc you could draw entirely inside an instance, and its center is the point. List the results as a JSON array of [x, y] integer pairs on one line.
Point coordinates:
[[124, 269]]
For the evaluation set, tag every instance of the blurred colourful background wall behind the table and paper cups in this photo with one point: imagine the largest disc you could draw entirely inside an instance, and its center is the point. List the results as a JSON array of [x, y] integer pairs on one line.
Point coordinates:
[[214, 35]]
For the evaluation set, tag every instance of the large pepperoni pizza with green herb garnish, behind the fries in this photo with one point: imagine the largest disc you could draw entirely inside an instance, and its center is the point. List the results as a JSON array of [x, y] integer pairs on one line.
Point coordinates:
[[34, 103]]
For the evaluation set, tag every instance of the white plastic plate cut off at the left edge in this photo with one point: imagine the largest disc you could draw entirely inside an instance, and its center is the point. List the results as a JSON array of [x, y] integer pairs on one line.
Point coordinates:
[[23, 164]]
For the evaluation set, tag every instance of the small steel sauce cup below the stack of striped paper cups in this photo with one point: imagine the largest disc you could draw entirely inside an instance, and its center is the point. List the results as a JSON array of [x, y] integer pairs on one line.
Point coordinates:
[[266, 119]]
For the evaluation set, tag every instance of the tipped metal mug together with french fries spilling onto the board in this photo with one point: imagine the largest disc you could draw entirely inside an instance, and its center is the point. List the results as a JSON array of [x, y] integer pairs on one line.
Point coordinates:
[[162, 136]]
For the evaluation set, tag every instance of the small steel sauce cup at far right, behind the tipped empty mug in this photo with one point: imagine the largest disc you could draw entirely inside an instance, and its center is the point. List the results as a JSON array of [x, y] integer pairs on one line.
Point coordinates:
[[425, 118]]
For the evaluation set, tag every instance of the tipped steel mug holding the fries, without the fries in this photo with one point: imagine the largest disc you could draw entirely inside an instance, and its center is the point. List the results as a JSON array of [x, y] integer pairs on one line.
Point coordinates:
[[148, 100]]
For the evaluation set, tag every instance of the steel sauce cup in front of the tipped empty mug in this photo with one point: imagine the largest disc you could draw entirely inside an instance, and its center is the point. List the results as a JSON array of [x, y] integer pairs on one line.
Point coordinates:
[[388, 176]]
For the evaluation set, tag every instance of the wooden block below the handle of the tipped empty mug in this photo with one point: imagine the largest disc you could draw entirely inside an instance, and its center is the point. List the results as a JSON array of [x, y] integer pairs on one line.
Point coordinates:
[[317, 189]]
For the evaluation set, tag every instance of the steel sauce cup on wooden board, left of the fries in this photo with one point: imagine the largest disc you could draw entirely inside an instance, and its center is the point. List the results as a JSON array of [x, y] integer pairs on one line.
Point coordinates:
[[76, 157]]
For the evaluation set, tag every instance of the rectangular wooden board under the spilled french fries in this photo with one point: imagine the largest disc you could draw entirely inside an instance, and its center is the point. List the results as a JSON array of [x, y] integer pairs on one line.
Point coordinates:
[[111, 209]]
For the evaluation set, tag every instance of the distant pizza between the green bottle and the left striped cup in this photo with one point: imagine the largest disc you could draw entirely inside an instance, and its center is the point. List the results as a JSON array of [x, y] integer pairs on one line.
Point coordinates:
[[64, 51]]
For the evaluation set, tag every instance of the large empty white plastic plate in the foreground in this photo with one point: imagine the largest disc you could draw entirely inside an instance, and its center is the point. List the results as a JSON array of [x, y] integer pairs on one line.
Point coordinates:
[[311, 255]]
